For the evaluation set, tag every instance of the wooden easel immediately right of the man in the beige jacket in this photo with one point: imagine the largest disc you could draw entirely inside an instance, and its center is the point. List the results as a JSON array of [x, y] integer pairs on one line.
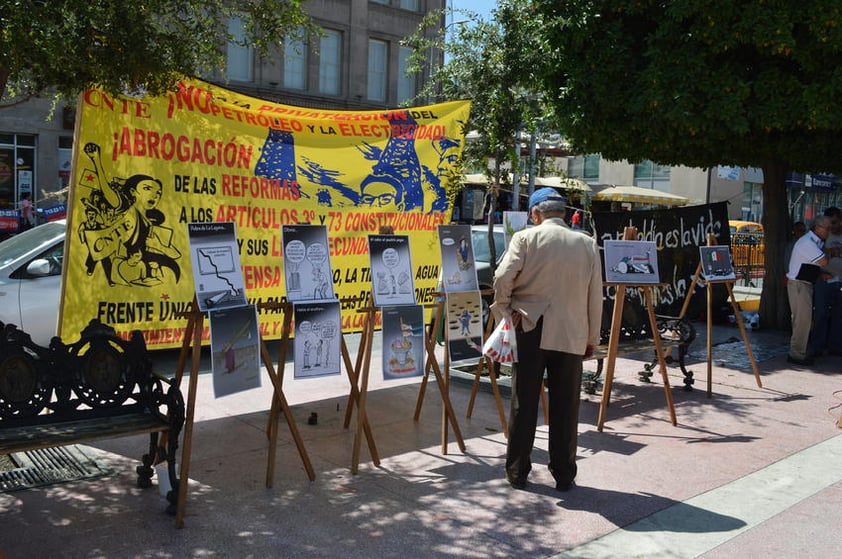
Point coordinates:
[[630, 233]]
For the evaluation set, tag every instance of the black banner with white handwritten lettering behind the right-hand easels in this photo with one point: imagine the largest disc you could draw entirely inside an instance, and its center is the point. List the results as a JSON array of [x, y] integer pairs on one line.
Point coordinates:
[[678, 233]]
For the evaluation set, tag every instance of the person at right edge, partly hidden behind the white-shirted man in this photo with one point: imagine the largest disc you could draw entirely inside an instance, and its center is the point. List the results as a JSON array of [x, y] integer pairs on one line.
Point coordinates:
[[826, 335]]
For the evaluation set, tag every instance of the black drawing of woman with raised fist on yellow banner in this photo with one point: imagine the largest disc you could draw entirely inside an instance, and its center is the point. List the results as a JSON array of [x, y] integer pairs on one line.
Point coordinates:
[[125, 228]]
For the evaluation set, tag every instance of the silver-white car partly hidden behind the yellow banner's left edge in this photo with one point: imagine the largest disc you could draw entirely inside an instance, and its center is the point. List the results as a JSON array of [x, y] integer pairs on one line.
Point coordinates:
[[30, 280]]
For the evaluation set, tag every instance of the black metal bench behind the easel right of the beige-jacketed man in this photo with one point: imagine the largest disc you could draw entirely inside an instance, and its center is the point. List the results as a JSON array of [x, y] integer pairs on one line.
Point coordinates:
[[636, 337]]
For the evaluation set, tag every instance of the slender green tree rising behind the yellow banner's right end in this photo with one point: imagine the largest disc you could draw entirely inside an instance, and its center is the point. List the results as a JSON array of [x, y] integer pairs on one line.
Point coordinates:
[[487, 63]]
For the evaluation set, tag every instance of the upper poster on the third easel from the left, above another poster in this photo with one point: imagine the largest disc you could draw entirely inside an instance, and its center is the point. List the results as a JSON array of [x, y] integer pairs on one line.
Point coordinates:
[[391, 270]]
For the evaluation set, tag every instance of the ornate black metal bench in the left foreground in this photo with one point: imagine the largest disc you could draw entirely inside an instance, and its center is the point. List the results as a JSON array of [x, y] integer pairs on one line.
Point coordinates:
[[99, 387]]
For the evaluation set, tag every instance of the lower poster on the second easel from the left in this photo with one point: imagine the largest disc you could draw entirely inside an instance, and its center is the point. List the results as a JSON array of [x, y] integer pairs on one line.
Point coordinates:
[[316, 346]]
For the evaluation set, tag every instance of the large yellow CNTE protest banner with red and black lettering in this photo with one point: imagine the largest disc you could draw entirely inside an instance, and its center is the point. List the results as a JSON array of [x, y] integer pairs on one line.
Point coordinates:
[[144, 168]]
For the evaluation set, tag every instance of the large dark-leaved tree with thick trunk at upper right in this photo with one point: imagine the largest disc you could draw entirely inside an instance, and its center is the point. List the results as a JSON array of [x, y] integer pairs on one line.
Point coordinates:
[[703, 83]]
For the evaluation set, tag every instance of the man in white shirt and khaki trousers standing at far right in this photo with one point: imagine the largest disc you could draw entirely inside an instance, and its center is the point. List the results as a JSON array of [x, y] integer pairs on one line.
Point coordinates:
[[807, 251]]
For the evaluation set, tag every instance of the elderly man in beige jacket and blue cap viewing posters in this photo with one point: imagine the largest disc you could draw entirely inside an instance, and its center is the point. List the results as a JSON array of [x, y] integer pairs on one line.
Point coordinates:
[[550, 283]]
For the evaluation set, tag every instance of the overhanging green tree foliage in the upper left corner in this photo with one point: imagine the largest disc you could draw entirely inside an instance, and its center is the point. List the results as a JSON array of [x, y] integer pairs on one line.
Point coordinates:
[[70, 45]]
